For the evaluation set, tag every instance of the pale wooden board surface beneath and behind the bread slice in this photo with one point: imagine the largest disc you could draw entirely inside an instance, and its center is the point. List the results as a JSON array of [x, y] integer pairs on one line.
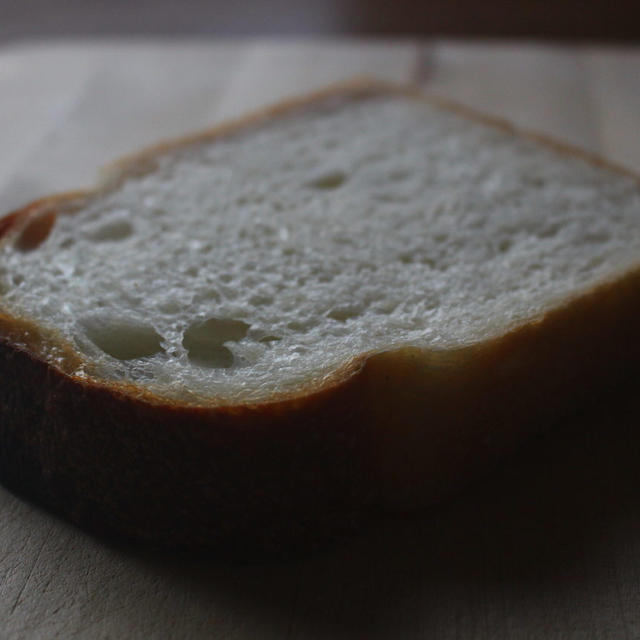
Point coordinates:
[[547, 547]]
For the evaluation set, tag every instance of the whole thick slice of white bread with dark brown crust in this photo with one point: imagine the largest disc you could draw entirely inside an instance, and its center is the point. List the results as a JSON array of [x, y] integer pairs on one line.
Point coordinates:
[[350, 301]]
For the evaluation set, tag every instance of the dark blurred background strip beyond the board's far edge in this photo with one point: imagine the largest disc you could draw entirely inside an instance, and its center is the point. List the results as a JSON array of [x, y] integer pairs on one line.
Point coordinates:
[[573, 20]]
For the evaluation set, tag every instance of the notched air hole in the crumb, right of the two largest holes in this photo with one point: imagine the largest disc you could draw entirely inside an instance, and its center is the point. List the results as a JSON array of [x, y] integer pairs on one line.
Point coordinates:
[[205, 341]]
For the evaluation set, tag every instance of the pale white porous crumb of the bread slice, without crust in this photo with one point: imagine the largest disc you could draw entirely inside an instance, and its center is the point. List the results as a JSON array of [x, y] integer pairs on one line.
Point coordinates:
[[262, 261]]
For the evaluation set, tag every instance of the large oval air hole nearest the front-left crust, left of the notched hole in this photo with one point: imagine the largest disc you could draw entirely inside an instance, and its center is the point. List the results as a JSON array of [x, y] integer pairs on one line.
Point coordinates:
[[122, 338]]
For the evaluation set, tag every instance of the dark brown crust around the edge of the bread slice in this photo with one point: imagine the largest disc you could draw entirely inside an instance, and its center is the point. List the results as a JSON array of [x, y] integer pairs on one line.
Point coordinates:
[[396, 429]]
